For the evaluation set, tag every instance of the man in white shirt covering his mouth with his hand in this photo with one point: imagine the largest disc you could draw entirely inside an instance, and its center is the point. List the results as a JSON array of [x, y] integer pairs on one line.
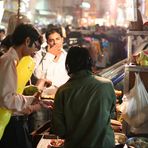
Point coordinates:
[[50, 61]]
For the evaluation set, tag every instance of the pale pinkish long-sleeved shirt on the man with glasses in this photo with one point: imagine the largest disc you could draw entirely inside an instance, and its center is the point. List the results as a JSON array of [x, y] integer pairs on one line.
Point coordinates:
[[8, 84]]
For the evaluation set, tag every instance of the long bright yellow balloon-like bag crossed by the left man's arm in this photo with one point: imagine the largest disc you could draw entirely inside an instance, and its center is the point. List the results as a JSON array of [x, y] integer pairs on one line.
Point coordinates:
[[24, 71]]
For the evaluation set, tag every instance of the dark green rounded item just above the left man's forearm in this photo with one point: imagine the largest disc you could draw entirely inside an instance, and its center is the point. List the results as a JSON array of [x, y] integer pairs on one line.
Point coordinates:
[[30, 90]]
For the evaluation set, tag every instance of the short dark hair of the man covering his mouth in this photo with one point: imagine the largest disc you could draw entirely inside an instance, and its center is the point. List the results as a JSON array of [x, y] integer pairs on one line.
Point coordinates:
[[52, 30]]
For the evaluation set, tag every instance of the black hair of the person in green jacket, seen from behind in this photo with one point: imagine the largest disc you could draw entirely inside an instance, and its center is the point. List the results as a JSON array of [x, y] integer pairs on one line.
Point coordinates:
[[78, 58]]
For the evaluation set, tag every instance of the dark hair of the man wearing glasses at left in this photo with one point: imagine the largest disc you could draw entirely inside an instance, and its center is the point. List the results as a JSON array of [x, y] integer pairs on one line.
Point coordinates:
[[22, 31]]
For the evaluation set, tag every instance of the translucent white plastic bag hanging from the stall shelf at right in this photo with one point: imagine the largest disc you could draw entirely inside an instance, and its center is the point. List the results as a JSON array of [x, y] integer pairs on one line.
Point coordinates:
[[135, 104]]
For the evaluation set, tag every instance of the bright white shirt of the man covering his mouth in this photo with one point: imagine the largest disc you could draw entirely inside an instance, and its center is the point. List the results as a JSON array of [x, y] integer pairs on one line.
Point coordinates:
[[47, 68]]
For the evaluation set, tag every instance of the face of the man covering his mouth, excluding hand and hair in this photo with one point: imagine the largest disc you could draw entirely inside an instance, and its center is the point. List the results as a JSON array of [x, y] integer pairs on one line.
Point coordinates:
[[55, 39]]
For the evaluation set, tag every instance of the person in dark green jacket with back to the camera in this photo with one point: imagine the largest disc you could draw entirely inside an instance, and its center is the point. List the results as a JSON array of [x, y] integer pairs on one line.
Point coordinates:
[[83, 105]]
